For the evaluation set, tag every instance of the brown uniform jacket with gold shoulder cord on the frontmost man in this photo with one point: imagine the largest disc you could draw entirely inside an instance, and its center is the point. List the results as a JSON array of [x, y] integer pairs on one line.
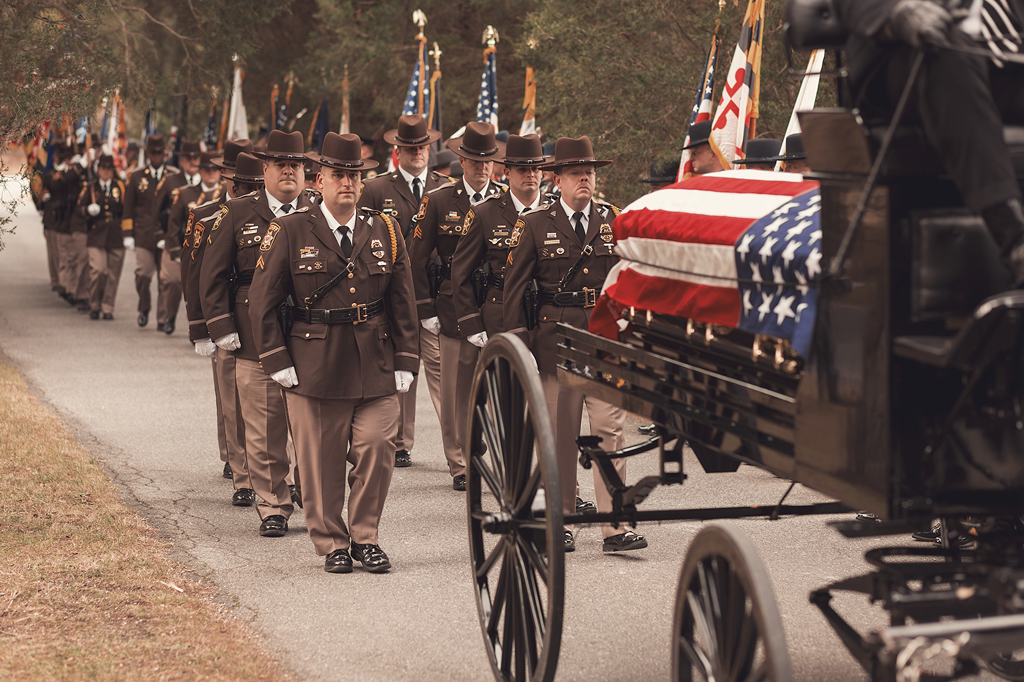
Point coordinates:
[[348, 361]]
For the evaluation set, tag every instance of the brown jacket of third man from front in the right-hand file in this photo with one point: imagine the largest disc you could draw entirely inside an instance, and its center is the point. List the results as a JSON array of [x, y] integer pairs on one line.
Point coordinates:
[[440, 225]]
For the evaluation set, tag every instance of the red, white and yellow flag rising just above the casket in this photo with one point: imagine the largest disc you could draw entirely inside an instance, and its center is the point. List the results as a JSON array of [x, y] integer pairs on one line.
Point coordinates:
[[736, 118]]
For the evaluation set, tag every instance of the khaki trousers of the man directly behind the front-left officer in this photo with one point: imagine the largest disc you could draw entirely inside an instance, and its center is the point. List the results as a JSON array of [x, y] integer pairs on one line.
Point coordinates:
[[263, 410]]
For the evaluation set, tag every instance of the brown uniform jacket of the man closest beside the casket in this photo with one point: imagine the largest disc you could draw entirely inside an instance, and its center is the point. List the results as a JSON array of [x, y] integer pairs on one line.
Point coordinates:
[[545, 247]]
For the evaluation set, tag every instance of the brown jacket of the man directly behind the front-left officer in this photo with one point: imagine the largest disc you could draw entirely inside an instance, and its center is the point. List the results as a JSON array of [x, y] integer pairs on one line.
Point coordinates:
[[233, 246]]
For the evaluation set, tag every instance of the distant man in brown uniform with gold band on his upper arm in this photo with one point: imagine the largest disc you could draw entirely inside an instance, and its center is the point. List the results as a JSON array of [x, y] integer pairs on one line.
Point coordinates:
[[148, 196]]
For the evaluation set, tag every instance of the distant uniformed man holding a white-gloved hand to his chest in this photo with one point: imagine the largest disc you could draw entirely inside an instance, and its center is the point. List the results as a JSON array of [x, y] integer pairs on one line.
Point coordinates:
[[100, 207]]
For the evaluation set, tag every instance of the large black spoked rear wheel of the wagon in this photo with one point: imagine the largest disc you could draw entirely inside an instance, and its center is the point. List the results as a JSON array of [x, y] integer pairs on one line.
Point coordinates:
[[518, 550]]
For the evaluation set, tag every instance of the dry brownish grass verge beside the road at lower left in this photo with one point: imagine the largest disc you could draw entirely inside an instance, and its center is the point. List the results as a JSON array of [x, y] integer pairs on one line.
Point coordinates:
[[88, 591]]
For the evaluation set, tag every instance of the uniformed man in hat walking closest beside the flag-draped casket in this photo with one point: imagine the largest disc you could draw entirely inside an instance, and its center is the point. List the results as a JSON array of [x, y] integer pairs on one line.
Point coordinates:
[[568, 247]]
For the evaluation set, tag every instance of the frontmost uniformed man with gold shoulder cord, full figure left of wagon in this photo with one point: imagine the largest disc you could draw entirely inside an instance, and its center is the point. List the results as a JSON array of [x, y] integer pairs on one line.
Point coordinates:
[[351, 346]]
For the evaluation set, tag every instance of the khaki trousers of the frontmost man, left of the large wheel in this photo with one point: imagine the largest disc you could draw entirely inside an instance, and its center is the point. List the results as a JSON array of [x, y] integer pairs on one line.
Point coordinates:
[[328, 436]]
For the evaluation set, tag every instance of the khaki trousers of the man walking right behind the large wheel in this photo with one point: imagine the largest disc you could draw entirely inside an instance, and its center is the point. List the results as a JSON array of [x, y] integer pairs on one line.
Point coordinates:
[[607, 421]]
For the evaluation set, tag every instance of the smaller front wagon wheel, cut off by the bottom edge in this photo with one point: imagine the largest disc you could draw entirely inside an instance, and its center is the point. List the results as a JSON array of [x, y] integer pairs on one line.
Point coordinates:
[[728, 626]]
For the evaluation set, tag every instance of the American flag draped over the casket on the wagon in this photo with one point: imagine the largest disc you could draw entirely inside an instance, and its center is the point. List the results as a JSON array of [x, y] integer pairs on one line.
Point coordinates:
[[741, 249]]
